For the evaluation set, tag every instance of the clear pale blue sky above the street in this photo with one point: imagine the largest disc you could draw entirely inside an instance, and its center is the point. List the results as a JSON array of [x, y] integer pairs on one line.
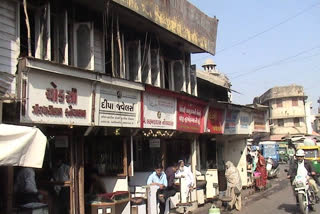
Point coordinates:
[[266, 43]]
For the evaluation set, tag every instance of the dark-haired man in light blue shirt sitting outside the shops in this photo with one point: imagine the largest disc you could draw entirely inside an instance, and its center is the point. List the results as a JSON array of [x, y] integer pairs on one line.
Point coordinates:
[[159, 178]]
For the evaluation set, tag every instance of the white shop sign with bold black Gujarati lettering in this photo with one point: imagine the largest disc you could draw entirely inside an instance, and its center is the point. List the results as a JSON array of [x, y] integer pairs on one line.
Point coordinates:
[[119, 107]]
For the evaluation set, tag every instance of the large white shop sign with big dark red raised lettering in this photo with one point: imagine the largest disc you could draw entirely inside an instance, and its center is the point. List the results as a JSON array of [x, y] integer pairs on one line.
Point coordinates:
[[54, 99]]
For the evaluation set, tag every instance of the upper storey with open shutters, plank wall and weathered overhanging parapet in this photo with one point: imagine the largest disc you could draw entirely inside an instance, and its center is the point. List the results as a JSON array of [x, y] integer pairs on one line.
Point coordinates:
[[142, 41]]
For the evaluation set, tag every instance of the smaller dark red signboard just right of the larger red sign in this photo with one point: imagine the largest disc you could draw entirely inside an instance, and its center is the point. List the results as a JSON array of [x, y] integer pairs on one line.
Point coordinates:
[[215, 121]]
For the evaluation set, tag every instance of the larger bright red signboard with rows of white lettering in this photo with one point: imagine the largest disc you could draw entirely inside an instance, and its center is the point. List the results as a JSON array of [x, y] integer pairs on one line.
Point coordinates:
[[190, 116]]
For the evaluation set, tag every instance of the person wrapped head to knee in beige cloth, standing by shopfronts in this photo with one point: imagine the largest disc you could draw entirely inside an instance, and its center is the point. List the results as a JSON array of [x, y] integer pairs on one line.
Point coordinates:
[[234, 185]]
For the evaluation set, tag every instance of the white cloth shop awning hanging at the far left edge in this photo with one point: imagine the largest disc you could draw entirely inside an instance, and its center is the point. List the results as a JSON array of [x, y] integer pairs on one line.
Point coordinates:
[[21, 146]]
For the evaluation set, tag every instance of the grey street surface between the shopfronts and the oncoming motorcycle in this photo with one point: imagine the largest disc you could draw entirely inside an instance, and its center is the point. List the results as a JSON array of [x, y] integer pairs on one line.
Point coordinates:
[[278, 199]]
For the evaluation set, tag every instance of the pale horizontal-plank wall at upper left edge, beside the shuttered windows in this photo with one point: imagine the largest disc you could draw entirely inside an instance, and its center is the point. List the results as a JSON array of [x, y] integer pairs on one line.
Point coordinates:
[[9, 45]]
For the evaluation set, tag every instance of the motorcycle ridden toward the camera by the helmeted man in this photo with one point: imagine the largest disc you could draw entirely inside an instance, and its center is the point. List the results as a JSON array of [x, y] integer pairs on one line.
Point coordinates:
[[306, 195]]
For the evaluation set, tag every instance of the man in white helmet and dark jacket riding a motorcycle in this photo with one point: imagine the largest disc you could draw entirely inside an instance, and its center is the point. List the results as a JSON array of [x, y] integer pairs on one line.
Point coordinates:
[[303, 167]]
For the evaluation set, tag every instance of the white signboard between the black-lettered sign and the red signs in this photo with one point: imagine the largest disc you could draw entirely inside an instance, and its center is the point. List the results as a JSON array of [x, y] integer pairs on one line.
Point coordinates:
[[159, 111]]
